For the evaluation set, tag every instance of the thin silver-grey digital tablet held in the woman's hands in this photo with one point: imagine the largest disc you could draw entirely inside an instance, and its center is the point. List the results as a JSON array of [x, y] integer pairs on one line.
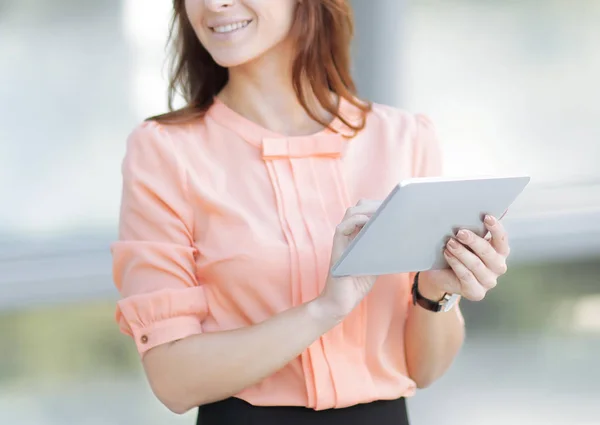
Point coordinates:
[[410, 229]]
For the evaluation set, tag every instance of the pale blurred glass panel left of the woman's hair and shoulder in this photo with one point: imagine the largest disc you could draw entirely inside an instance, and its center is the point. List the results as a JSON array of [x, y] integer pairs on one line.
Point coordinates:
[[74, 81]]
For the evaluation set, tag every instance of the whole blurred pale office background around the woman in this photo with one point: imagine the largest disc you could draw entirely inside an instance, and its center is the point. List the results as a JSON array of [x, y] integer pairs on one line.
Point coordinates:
[[513, 87]]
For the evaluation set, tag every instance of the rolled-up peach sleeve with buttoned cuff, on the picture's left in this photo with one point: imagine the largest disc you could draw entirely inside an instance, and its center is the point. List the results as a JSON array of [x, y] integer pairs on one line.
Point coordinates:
[[154, 257]]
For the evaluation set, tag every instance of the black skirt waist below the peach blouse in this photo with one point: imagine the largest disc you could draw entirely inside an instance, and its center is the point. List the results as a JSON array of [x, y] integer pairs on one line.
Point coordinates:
[[234, 411]]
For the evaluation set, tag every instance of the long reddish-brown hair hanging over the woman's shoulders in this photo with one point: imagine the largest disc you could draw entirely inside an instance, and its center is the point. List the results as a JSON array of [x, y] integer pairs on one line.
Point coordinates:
[[322, 30]]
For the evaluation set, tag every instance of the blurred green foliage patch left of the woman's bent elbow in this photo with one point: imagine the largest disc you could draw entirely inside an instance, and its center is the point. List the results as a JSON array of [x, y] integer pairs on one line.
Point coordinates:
[[63, 342]]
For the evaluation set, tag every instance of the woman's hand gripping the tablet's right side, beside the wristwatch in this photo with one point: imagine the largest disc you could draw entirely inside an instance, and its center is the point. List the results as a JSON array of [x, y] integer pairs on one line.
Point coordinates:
[[476, 263]]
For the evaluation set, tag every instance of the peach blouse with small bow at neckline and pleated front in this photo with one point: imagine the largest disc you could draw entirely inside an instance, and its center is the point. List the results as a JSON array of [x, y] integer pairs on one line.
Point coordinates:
[[224, 224]]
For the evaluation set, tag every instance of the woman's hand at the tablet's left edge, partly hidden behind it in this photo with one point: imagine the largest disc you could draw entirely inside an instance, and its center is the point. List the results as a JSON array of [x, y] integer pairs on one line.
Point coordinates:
[[342, 294]]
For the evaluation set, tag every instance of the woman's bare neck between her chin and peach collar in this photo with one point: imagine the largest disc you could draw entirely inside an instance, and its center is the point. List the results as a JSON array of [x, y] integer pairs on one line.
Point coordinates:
[[262, 91]]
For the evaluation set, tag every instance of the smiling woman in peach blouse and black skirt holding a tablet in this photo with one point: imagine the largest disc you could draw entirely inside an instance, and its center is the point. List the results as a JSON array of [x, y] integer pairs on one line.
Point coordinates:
[[234, 207]]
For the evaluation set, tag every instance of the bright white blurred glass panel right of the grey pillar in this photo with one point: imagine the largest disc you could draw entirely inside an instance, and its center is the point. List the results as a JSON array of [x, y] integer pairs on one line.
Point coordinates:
[[512, 85]]
